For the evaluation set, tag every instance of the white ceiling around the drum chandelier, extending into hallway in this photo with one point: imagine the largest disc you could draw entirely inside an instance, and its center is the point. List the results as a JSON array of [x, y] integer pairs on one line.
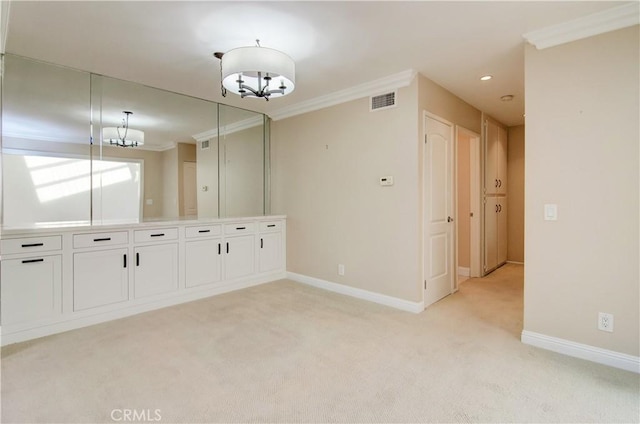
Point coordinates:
[[336, 45]]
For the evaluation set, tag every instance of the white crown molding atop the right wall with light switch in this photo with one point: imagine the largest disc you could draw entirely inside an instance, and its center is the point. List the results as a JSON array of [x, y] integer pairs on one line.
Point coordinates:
[[597, 23]]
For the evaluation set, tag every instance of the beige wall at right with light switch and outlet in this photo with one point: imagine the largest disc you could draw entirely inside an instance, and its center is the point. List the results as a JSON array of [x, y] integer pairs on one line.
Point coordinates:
[[582, 132]]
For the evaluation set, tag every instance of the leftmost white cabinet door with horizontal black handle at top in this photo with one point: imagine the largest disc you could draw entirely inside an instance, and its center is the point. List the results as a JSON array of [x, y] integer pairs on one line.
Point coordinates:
[[31, 289]]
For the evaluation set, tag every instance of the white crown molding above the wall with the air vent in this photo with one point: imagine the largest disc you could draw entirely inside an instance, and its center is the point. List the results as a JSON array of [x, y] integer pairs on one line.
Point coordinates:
[[391, 82]]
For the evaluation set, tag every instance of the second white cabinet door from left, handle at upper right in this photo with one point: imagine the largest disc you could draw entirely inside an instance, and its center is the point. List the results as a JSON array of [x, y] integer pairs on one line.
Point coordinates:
[[100, 278]]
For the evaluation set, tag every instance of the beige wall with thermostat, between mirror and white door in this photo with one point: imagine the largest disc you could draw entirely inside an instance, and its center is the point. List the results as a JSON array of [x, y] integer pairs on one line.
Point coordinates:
[[326, 167]]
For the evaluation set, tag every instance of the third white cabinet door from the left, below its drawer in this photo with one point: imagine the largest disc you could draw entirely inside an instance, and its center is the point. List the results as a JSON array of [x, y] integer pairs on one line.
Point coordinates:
[[156, 270]]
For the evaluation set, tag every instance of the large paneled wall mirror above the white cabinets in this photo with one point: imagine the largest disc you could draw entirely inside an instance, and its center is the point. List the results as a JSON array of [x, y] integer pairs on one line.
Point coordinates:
[[80, 148]]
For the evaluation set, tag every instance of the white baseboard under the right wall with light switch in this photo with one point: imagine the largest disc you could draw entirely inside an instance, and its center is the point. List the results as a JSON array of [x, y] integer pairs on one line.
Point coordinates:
[[582, 351]]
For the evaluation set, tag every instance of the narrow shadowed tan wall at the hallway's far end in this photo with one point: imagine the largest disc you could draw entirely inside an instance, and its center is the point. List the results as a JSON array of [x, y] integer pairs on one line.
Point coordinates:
[[515, 194]]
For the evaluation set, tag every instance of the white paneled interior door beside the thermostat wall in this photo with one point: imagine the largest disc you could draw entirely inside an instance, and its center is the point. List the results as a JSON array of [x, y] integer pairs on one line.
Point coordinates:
[[438, 209]]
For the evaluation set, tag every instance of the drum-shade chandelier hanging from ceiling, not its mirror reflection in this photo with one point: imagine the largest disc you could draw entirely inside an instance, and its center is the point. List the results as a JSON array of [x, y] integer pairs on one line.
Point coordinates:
[[256, 72]]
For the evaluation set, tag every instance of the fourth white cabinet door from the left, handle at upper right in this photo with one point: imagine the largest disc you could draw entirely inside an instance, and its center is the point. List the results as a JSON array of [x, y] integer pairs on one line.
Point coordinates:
[[203, 262]]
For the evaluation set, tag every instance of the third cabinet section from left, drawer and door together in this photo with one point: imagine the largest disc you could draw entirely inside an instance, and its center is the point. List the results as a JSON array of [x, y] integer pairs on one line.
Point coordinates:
[[156, 265]]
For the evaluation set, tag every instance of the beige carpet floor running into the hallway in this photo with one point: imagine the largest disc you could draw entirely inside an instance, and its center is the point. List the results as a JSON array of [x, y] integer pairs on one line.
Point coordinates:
[[285, 352]]
